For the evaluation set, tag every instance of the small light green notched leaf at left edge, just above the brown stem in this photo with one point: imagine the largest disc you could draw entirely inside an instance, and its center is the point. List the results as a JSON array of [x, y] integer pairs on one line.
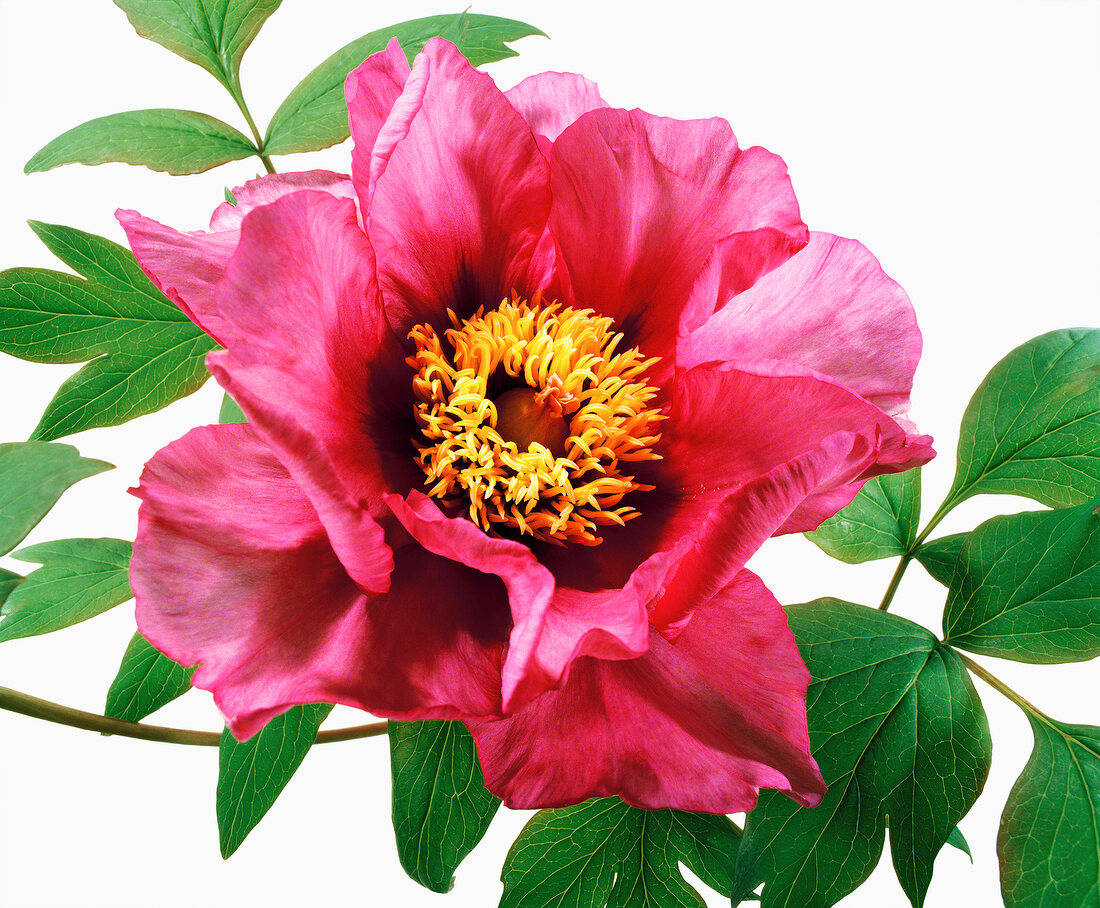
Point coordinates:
[[79, 579]]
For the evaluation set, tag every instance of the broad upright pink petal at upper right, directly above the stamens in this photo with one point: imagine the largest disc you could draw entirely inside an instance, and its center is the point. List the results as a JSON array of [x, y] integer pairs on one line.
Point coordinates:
[[640, 202]]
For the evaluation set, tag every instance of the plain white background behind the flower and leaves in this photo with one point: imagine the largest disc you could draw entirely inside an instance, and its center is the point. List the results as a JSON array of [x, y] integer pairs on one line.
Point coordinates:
[[956, 140]]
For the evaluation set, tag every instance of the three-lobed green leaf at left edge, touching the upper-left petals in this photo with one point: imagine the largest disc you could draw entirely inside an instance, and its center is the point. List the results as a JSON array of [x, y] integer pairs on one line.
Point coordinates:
[[148, 354]]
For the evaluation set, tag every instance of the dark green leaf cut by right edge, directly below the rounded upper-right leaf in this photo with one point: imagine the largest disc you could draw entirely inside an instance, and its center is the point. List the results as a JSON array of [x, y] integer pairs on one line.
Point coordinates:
[[1028, 587]]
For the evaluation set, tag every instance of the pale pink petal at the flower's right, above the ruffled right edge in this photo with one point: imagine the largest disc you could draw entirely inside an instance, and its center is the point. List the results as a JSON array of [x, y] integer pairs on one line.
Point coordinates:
[[830, 309]]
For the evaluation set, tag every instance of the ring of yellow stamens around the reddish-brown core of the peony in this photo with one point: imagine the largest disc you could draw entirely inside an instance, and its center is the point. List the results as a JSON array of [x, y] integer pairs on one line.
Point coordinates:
[[530, 420]]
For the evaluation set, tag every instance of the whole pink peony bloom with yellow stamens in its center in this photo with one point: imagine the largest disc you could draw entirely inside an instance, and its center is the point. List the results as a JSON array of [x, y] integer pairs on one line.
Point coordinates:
[[532, 516]]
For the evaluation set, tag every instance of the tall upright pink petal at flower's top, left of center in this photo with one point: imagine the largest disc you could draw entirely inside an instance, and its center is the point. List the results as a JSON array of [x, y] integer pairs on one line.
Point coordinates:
[[458, 194]]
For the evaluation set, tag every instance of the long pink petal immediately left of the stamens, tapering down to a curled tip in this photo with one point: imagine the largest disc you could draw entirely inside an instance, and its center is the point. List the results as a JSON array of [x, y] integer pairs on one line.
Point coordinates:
[[314, 358]]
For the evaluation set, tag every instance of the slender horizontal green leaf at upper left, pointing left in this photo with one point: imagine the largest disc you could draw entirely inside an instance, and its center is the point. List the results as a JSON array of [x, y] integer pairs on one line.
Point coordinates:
[[172, 141]]
